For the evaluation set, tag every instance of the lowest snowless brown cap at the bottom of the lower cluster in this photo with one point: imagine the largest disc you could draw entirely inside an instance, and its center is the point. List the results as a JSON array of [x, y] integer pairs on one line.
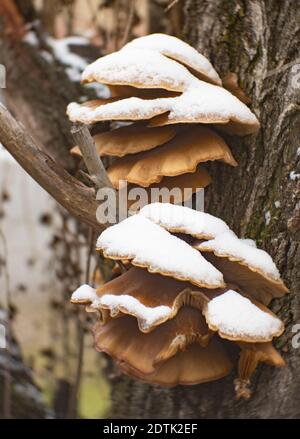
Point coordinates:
[[195, 365]]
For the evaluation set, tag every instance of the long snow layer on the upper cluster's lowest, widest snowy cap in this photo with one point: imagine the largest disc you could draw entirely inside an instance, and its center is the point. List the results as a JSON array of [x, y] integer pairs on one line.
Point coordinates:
[[203, 102]]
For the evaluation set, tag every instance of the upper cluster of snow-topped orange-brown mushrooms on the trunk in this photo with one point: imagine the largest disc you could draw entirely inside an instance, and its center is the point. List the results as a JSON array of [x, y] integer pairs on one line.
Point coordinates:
[[173, 105]]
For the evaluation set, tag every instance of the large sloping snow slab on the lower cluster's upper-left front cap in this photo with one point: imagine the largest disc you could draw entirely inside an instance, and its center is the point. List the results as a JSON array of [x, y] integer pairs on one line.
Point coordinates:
[[149, 245]]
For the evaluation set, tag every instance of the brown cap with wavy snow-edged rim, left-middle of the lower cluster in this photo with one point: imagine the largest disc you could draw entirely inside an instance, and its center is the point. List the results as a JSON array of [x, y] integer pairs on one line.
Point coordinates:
[[151, 298]]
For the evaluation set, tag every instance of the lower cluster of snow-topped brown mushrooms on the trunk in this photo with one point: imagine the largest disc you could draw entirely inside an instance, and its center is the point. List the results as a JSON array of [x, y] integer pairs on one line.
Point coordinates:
[[191, 290]]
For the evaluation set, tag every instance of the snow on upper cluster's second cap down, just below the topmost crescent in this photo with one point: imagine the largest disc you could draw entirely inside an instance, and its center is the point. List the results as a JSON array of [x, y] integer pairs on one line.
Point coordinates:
[[139, 68]]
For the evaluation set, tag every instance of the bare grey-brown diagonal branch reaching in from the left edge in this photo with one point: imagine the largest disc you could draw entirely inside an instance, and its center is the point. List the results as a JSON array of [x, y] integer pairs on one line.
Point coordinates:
[[66, 190]]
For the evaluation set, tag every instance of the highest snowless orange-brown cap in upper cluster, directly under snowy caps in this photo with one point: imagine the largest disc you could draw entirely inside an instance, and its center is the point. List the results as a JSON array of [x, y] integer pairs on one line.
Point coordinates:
[[130, 140]]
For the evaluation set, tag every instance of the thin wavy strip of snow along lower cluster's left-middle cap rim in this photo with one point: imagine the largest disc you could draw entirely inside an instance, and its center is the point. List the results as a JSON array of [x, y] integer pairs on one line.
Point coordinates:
[[148, 316]]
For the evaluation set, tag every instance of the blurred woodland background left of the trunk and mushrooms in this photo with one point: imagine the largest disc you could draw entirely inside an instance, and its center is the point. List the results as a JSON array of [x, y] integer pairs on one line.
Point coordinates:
[[49, 367]]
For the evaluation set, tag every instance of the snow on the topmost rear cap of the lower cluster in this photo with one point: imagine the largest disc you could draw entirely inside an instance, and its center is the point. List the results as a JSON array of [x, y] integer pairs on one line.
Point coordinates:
[[184, 219]]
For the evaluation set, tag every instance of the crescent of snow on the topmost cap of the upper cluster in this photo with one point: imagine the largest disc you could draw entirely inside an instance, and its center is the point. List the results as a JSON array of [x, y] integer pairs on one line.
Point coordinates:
[[178, 50]]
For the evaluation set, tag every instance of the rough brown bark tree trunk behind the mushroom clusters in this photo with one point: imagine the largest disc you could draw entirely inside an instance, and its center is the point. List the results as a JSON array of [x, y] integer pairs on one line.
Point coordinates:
[[259, 199]]
